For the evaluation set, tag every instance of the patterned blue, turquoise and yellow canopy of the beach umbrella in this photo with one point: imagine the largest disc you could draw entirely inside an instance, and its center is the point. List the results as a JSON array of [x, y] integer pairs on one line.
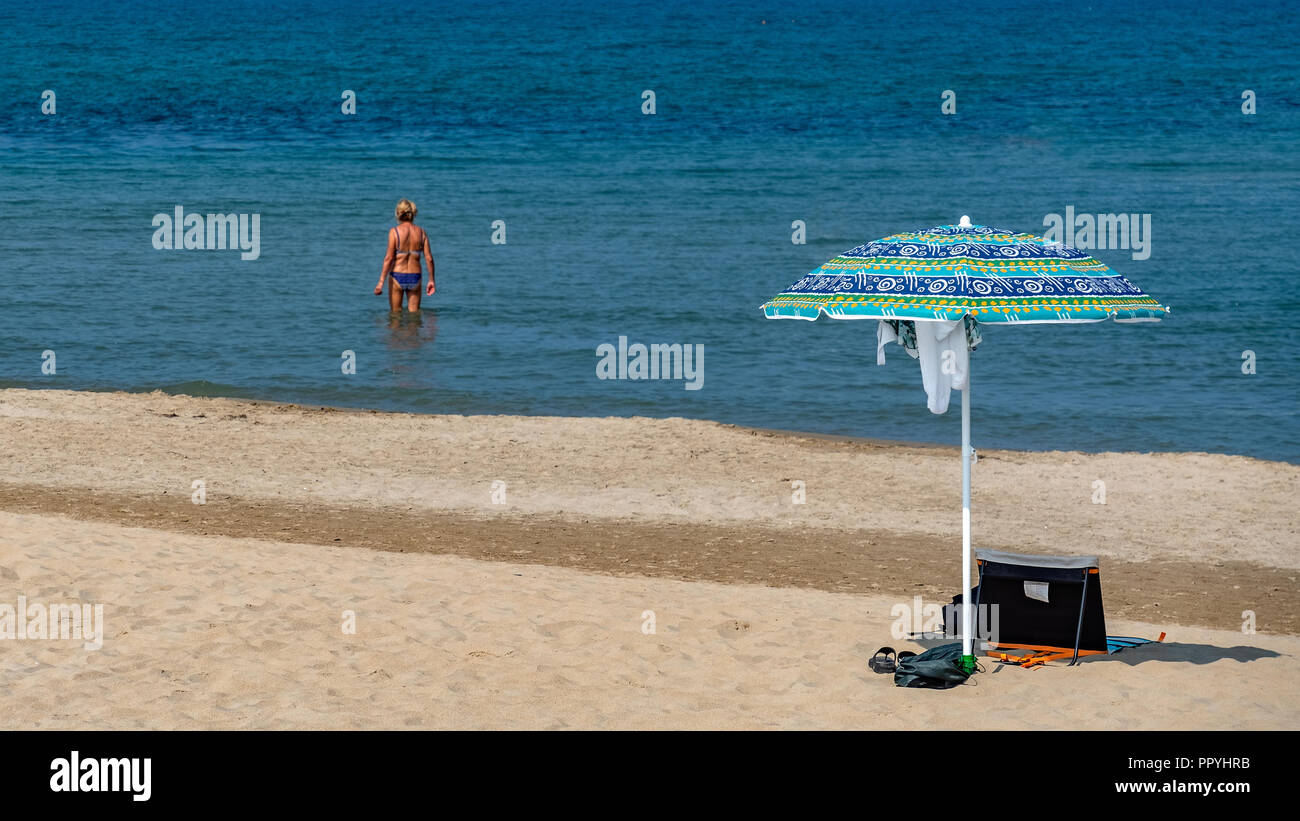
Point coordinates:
[[951, 271]]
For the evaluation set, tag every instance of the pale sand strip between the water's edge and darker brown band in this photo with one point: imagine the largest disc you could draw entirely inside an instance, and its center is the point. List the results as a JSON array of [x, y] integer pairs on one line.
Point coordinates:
[[1124, 506]]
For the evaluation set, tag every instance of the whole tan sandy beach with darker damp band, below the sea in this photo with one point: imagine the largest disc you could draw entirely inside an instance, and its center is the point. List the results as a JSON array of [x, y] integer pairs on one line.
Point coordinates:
[[500, 572]]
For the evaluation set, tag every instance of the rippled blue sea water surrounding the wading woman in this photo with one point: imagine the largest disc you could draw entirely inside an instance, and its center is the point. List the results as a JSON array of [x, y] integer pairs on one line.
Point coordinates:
[[670, 228]]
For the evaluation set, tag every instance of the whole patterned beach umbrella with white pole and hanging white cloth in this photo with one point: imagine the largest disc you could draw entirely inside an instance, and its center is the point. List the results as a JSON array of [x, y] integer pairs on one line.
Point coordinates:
[[931, 292]]
